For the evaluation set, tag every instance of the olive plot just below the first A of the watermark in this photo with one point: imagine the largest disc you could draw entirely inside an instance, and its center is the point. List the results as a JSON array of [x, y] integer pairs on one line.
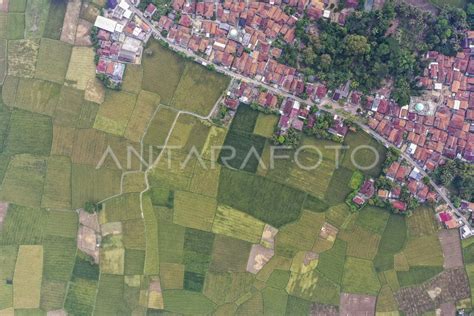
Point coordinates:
[[90, 184]]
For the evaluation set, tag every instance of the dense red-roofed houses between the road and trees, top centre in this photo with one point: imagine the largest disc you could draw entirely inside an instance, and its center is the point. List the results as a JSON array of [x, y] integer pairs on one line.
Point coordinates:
[[240, 35]]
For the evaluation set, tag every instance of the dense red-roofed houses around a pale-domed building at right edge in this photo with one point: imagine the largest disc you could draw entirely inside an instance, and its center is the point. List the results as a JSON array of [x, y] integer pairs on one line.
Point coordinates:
[[441, 123]]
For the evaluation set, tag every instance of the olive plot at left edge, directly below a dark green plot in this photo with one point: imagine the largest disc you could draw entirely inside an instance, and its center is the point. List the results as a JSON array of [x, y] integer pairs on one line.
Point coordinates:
[[24, 179]]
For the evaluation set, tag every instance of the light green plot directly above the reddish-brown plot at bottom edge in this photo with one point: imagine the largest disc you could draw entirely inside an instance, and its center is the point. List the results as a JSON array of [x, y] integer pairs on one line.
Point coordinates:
[[360, 277]]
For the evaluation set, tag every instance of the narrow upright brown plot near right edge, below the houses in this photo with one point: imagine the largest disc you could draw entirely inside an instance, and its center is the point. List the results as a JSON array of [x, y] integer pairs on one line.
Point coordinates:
[[451, 245]]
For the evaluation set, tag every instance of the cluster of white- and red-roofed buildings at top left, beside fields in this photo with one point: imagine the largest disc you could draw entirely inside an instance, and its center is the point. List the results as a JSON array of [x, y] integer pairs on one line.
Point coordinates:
[[121, 37]]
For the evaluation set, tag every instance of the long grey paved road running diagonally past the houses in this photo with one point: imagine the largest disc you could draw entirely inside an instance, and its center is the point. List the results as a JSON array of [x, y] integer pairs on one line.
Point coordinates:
[[275, 90]]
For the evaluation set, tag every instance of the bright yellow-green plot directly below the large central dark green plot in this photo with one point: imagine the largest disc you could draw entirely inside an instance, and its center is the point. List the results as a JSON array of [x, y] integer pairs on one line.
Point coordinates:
[[234, 223]]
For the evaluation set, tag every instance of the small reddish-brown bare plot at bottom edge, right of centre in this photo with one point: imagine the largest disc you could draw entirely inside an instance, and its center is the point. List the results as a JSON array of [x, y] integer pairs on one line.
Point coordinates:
[[356, 304]]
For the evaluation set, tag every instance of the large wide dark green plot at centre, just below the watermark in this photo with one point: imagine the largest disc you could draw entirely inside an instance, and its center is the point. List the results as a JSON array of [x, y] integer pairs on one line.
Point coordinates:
[[266, 200]]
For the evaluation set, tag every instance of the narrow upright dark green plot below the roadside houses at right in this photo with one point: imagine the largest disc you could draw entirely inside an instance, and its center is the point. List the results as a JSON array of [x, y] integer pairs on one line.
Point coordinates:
[[392, 242]]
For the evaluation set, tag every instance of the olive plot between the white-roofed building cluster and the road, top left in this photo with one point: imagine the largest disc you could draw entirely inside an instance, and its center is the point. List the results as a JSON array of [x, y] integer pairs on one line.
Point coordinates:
[[162, 72]]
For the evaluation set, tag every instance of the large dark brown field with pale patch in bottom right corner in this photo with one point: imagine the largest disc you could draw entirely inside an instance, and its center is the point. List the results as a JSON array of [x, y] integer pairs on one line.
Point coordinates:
[[449, 286]]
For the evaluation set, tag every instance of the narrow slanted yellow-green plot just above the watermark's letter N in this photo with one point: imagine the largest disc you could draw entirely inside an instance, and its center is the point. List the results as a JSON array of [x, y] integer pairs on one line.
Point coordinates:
[[141, 116]]
